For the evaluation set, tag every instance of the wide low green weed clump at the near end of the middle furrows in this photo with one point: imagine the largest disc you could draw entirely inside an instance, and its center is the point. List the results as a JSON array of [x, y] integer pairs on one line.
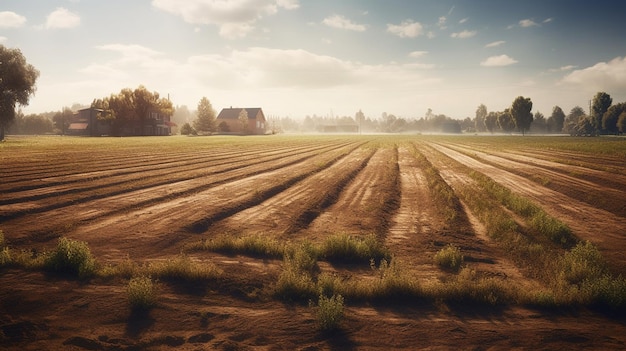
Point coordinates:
[[346, 248]]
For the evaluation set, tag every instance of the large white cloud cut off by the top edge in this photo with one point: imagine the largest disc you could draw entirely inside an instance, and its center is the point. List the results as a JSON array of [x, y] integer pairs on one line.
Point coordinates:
[[235, 19]]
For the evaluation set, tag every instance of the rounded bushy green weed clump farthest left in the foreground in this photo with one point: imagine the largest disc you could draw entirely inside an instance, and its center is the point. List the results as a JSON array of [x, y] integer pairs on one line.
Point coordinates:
[[71, 257]]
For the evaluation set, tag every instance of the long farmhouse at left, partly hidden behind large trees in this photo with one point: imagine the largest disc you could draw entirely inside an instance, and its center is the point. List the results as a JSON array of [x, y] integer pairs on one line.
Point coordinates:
[[86, 122]]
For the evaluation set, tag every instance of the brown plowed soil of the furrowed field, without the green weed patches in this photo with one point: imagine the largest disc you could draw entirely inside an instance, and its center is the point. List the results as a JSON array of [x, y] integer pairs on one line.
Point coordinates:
[[148, 199]]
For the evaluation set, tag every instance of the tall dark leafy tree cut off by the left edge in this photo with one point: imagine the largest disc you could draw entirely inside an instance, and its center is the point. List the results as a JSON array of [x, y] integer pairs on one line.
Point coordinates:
[[17, 83]]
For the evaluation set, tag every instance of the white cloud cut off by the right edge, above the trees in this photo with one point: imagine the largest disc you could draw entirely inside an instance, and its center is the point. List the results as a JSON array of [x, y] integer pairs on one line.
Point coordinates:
[[604, 76]]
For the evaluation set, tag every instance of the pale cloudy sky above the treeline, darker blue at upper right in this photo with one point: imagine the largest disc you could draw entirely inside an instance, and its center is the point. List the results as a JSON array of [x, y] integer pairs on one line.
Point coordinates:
[[295, 58]]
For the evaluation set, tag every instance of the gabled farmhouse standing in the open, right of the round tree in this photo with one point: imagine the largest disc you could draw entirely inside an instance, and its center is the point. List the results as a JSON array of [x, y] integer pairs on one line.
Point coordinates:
[[229, 121]]
